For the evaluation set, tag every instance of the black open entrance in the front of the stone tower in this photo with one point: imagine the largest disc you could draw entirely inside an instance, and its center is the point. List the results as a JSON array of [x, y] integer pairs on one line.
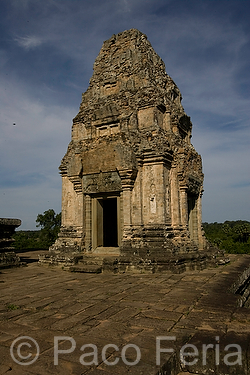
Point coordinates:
[[110, 238]]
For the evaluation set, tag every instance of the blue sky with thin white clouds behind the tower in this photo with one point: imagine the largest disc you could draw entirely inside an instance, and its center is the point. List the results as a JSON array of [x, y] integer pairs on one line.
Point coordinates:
[[47, 51]]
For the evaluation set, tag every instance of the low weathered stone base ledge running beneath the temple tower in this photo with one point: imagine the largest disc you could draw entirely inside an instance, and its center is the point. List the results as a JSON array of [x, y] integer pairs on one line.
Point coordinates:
[[84, 262]]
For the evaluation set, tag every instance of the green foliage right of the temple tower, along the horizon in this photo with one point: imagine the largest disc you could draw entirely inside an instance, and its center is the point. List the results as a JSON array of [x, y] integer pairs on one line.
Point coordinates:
[[231, 236]]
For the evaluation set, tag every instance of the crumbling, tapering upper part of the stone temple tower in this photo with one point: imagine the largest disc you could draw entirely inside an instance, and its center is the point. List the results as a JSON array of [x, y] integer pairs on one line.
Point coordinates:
[[129, 76]]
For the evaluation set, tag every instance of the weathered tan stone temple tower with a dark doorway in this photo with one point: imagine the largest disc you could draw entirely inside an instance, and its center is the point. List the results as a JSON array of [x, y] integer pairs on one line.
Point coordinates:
[[131, 179]]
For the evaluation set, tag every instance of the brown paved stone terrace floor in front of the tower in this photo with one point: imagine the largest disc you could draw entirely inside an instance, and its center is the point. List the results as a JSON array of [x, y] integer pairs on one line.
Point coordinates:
[[124, 309]]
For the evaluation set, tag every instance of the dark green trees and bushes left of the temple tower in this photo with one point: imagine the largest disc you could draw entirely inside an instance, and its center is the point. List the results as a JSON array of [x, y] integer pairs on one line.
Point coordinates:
[[49, 222]]
